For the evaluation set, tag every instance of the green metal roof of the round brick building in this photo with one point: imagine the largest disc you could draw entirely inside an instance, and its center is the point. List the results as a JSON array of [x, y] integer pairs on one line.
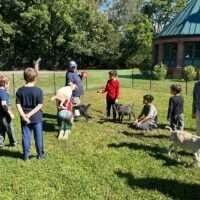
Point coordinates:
[[186, 23]]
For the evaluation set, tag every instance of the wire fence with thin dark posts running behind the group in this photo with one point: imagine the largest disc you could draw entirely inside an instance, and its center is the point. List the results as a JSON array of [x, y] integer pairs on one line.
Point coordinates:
[[50, 81]]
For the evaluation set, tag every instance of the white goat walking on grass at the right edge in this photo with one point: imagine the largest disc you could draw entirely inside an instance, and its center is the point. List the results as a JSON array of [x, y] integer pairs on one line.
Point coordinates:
[[186, 141]]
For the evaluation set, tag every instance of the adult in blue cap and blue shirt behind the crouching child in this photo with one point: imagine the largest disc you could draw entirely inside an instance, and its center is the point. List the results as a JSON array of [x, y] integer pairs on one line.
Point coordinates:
[[72, 76]]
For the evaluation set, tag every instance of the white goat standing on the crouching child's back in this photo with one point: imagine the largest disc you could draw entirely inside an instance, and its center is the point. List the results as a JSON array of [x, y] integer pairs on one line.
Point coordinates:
[[64, 94]]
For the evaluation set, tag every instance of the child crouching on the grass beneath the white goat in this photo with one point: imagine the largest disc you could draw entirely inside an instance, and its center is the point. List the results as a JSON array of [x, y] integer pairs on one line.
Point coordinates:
[[65, 118]]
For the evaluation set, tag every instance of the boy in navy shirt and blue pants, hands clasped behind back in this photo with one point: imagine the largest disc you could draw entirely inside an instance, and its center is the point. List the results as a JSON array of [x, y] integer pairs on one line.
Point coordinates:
[[29, 100]]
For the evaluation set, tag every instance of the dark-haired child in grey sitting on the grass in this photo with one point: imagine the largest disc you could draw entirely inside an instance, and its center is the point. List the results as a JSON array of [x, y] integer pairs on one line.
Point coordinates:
[[148, 117]]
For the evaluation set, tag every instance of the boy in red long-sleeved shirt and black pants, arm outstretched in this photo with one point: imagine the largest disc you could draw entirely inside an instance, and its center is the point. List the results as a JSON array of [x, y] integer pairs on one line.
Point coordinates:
[[112, 89]]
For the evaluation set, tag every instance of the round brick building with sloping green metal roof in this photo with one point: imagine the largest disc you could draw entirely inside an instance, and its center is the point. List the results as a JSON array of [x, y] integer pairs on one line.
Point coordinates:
[[178, 45]]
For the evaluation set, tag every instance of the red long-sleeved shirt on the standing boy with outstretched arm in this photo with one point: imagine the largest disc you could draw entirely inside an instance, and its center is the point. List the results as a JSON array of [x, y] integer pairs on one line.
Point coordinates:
[[112, 89]]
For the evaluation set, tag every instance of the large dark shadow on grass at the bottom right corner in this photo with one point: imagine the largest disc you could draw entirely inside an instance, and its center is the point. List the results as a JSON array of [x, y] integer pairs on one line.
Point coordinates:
[[173, 189]]
